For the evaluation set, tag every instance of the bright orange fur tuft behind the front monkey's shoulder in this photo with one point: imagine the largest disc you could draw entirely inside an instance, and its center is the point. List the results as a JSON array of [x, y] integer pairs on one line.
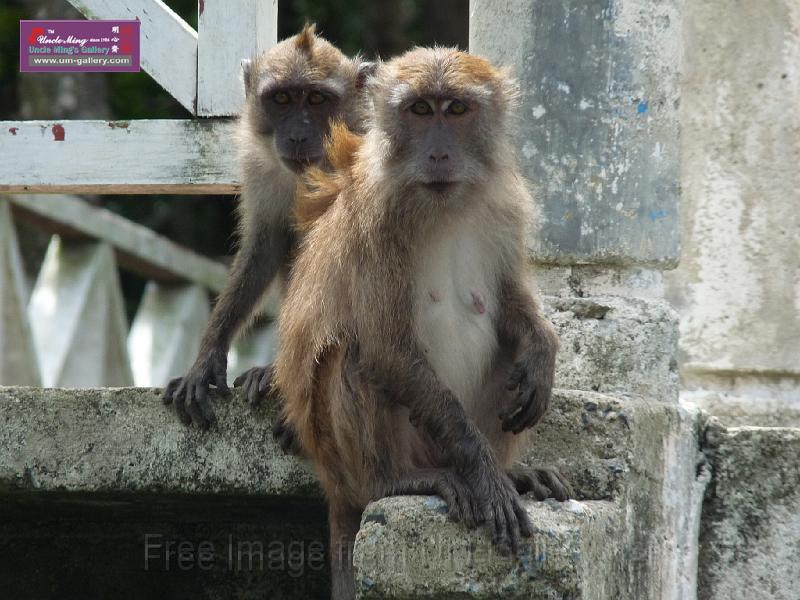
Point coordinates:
[[318, 188]]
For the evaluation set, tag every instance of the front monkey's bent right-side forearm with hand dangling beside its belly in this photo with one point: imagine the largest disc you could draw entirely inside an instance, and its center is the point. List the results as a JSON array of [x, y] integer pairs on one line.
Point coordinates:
[[523, 330]]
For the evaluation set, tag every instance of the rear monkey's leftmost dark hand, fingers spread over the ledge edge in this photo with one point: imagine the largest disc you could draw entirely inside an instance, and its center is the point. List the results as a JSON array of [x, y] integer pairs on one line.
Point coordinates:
[[190, 393]]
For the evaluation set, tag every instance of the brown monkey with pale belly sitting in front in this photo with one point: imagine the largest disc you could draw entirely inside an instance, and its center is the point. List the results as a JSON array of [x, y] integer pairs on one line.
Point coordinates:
[[412, 355]]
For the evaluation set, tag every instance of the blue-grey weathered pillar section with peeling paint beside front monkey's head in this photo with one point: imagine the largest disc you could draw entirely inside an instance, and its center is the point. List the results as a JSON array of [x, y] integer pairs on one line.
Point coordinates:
[[598, 131]]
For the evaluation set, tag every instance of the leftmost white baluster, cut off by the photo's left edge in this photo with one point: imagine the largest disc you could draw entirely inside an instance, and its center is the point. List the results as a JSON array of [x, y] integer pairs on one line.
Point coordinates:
[[18, 364]]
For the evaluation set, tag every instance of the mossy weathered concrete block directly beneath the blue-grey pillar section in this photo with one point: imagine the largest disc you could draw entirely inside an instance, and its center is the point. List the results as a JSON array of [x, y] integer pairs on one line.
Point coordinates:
[[615, 345]]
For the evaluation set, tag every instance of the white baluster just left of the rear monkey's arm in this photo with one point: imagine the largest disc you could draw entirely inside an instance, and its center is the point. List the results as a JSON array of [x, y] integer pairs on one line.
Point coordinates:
[[165, 335]]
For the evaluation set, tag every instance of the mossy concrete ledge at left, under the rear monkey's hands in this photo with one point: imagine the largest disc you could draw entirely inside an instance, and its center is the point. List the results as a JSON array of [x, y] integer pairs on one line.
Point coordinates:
[[125, 441]]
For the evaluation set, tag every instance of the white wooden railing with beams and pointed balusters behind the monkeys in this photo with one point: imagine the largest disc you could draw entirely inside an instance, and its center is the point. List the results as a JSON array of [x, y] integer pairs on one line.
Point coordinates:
[[69, 327]]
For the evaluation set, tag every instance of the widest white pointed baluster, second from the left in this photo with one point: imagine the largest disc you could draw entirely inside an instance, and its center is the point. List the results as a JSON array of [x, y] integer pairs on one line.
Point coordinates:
[[78, 319]]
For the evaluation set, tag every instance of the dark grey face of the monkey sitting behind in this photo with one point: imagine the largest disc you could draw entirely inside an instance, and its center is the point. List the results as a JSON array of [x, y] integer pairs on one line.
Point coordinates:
[[300, 119]]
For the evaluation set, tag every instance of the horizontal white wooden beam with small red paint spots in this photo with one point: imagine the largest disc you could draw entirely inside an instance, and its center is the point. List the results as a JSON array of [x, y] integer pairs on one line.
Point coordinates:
[[118, 157]]
